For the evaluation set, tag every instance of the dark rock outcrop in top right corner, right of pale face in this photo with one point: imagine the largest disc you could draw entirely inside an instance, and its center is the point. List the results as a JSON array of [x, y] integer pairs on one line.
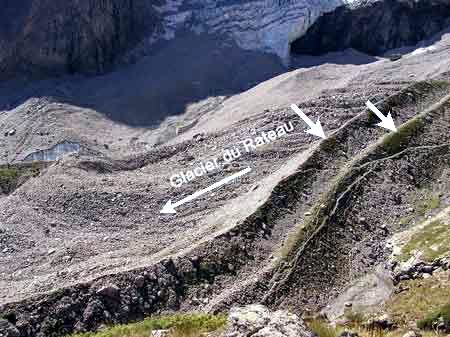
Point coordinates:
[[374, 27]]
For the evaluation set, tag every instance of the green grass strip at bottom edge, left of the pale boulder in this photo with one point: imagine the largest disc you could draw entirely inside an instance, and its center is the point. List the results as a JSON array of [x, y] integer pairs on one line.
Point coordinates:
[[189, 325]]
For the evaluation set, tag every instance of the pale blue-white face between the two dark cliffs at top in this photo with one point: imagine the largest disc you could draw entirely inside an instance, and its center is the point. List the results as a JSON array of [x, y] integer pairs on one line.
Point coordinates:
[[263, 25]]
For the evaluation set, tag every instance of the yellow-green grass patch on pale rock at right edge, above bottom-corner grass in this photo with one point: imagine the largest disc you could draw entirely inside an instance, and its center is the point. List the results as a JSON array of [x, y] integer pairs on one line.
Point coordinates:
[[433, 241]]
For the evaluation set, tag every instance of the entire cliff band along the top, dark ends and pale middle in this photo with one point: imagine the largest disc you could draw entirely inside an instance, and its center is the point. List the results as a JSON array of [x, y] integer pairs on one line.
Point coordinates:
[[87, 36]]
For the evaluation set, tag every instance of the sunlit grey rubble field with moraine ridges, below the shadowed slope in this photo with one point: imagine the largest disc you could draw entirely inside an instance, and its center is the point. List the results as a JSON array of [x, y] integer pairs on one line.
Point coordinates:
[[83, 242]]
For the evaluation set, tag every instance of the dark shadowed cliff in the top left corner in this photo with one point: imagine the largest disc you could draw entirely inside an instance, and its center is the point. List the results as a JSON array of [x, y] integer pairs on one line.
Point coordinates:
[[48, 37]]
